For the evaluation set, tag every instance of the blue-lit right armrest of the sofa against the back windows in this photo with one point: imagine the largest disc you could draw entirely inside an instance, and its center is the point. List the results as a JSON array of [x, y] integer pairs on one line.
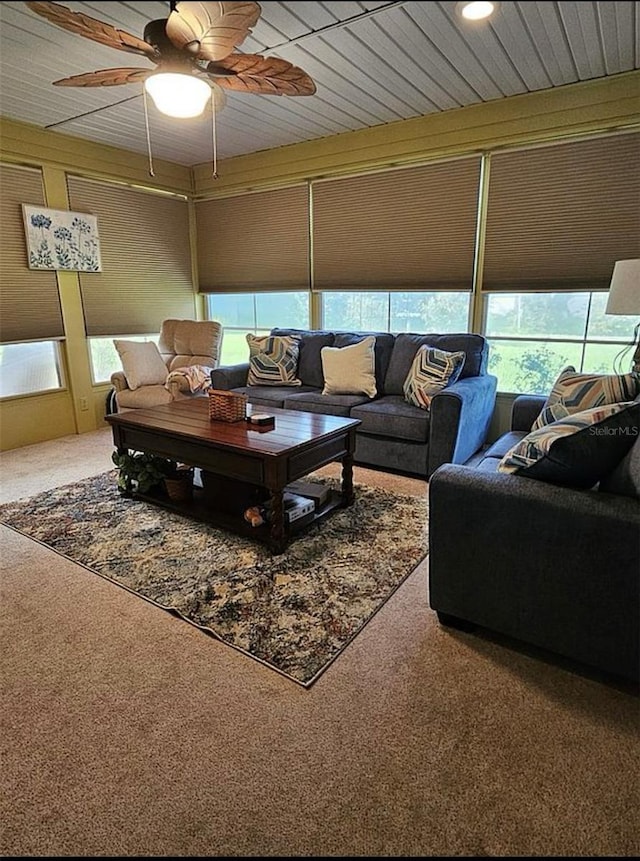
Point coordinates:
[[460, 419]]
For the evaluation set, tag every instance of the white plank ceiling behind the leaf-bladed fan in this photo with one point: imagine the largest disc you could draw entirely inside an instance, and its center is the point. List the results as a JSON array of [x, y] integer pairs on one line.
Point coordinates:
[[373, 63]]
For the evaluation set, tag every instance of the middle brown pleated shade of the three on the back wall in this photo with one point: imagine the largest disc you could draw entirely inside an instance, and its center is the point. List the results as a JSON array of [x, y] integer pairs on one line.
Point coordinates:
[[402, 229]]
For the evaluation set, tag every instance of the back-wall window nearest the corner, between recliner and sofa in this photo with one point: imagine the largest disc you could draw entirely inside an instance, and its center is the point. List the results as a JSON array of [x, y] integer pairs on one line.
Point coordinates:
[[258, 313]]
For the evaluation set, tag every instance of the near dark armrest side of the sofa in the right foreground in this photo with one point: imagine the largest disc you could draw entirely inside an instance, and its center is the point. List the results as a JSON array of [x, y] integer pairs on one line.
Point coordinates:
[[549, 565]]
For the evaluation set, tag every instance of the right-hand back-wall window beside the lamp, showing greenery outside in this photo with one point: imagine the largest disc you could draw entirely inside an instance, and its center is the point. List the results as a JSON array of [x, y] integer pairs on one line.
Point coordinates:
[[533, 336]]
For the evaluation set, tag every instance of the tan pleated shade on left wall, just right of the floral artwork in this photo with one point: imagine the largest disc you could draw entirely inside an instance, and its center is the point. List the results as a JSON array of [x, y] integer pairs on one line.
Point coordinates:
[[146, 260]]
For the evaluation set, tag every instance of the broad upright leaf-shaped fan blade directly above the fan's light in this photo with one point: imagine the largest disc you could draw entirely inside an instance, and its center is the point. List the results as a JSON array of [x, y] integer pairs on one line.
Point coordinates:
[[210, 31]]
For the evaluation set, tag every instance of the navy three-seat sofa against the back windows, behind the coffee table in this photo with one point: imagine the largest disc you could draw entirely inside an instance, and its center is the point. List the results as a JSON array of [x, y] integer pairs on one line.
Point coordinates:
[[393, 434]]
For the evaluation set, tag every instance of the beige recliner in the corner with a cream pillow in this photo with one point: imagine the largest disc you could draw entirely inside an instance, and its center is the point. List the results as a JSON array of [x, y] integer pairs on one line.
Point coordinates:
[[182, 344]]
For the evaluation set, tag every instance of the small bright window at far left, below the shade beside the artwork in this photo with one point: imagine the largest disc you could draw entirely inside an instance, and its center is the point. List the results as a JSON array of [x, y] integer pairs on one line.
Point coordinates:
[[29, 368]]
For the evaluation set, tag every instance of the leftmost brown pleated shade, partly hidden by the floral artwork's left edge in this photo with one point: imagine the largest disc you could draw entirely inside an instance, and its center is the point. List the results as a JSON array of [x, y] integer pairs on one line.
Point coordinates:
[[29, 299]]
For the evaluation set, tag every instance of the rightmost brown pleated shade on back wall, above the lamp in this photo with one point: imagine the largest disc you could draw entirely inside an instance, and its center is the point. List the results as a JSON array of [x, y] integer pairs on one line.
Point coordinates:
[[559, 216]]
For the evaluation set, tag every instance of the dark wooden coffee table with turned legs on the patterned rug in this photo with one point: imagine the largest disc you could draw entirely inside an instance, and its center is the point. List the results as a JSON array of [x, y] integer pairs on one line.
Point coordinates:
[[268, 458]]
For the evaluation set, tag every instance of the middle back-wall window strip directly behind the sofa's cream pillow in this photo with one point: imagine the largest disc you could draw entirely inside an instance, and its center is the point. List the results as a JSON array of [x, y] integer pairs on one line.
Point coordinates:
[[396, 311]]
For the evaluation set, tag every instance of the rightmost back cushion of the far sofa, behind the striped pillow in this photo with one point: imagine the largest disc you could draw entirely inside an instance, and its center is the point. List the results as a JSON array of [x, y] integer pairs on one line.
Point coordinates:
[[407, 344]]
